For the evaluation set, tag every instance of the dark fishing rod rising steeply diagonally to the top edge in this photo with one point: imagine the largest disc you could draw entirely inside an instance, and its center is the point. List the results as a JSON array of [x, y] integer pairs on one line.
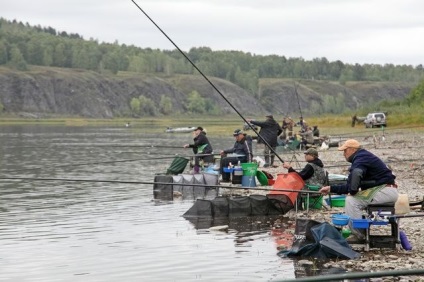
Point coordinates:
[[209, 81]]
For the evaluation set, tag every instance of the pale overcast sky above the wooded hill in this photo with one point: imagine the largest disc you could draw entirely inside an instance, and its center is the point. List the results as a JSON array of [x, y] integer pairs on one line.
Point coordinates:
[[352, 31]]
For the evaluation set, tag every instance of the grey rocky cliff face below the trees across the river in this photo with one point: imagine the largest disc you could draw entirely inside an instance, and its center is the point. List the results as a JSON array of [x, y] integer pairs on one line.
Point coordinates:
[[63, 92]]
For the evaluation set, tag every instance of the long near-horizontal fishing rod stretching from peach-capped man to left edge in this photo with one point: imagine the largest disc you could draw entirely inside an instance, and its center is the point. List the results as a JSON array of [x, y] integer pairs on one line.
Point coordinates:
[[153, 182]]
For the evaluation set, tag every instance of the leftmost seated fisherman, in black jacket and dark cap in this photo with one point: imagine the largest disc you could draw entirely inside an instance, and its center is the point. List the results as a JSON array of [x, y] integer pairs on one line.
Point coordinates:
[[202, 147]]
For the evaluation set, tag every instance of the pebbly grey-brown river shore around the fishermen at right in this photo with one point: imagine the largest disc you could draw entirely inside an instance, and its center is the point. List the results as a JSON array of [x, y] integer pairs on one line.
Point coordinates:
[[402, 153]]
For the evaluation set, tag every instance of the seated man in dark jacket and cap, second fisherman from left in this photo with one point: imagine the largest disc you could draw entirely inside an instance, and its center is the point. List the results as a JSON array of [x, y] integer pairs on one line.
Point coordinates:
[[242, 151]]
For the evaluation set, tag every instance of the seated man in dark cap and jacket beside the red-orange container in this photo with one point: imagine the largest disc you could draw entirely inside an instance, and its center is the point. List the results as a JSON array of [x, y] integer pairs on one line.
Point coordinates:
[[313, 173]]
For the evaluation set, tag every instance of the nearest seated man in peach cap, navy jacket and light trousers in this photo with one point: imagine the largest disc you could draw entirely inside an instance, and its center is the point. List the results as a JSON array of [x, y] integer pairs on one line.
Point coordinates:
[[369, 181]]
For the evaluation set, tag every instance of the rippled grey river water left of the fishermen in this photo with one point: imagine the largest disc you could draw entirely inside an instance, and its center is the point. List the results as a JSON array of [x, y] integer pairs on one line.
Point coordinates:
[[99, 228]]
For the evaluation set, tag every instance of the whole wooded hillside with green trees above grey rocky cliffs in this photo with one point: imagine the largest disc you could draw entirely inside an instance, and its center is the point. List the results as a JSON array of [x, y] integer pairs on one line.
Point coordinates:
[[50, 72]]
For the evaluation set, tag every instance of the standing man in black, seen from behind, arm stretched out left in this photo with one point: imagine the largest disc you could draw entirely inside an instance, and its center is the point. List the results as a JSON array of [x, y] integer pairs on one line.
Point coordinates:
[[270, 130]]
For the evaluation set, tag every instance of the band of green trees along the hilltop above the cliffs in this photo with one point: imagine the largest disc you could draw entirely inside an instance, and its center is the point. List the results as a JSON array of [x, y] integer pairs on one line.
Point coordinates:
[[22, 45]]
